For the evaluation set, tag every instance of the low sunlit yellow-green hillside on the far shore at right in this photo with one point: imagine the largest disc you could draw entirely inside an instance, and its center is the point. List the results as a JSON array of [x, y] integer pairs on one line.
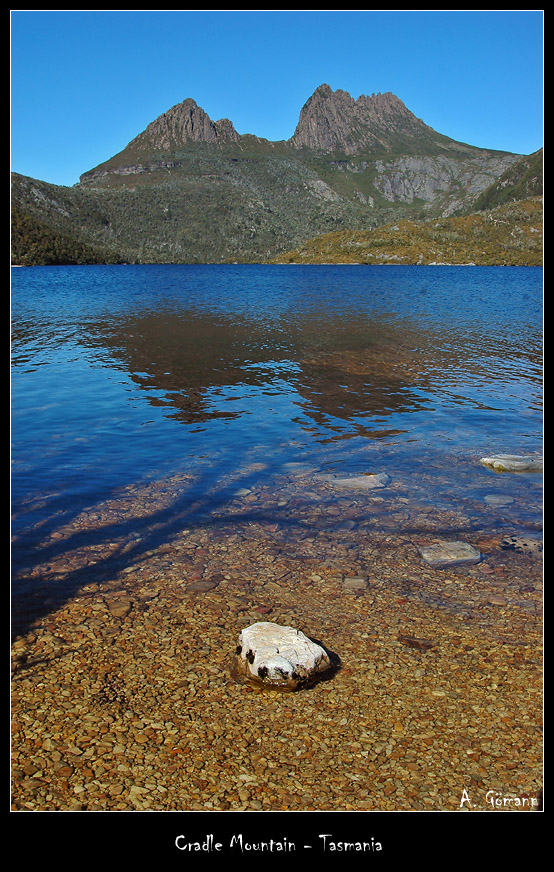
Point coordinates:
[[509, 235]]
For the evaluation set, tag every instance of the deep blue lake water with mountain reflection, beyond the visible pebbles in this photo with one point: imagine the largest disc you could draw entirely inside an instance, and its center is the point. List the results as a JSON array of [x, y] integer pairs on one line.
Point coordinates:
[[244, 375]]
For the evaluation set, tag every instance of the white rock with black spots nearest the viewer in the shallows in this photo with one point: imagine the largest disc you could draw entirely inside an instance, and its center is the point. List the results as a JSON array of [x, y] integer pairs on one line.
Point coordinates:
[[277, 656]]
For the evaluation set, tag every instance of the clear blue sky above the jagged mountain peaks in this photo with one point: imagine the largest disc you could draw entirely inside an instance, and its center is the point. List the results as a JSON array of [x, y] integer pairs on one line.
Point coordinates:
[[84, 83]]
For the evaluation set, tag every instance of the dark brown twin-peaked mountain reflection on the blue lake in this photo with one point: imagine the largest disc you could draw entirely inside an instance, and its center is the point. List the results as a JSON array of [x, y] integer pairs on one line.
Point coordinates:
[[199, 366]]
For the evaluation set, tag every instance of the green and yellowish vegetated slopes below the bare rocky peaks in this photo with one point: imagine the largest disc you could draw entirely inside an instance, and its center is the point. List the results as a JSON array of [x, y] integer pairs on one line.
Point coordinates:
[[252, 202]]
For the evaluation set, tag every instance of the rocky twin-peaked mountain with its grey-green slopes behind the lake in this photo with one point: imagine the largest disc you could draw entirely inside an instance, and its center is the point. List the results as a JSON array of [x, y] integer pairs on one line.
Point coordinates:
[[189, 189]]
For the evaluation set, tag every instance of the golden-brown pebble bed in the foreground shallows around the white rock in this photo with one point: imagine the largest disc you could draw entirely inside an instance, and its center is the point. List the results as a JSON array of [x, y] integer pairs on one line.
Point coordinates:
[[122, 691]]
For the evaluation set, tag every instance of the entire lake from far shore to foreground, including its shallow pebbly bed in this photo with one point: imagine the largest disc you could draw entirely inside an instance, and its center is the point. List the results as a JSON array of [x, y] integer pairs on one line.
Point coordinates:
[[200, 448]]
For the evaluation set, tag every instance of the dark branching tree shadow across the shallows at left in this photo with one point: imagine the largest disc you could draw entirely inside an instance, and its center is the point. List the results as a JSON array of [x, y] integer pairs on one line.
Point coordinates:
[[127, 542]]
